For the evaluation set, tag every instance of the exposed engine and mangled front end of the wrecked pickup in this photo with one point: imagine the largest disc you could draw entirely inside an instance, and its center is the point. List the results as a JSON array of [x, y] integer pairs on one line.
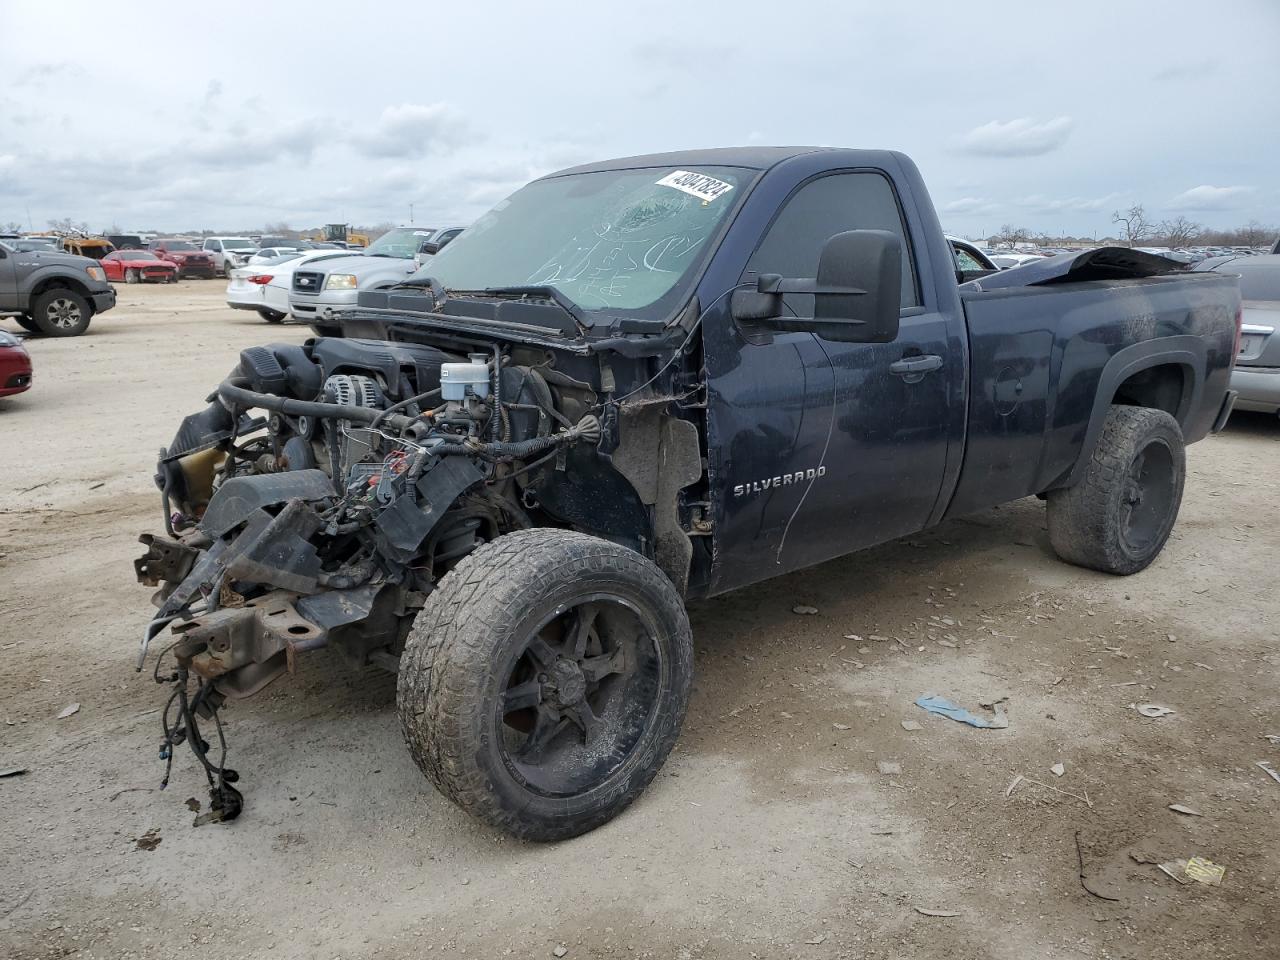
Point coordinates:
[[321, 496]]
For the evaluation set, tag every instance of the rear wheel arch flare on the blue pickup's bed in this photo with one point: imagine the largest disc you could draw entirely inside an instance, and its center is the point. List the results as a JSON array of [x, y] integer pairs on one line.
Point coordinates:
[[1164, 374]]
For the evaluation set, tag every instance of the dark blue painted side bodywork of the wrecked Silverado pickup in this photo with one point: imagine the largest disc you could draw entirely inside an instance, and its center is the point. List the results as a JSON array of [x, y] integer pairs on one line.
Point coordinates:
[[1012, 412]]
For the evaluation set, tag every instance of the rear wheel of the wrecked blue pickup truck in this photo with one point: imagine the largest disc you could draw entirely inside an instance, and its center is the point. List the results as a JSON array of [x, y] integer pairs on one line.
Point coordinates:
[[1121, 514]]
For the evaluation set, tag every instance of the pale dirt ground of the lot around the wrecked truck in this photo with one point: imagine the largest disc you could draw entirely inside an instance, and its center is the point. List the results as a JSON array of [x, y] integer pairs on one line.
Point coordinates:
[[771, 833]]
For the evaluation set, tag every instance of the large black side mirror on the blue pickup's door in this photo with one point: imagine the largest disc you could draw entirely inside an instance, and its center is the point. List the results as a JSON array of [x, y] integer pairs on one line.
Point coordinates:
[[858, 292]]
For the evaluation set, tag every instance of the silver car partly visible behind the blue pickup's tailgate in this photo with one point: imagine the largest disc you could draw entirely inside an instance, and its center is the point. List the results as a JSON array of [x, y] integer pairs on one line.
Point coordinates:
[[1258, 360]]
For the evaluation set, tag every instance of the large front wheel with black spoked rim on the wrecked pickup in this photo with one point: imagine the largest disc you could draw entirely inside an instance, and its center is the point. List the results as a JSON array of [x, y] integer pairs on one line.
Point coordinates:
[[546, 682]]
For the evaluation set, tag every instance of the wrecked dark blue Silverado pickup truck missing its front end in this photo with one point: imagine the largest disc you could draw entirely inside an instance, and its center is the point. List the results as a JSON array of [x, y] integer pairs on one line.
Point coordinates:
[[634, 383]]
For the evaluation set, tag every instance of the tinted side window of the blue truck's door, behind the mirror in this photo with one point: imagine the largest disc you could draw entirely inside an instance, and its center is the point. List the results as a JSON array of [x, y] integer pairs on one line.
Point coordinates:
[[821, 209]]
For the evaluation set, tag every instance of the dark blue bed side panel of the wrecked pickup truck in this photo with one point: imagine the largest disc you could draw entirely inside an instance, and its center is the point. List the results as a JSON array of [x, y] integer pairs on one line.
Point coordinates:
[[1046, 362]]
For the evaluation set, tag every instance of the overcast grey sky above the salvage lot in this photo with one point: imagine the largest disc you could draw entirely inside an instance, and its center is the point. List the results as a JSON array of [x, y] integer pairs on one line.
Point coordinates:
[[1041, 115]]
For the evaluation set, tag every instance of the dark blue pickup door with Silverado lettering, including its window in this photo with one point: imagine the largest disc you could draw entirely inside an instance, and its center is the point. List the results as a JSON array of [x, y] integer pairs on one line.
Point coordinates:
[[825, 447]]
